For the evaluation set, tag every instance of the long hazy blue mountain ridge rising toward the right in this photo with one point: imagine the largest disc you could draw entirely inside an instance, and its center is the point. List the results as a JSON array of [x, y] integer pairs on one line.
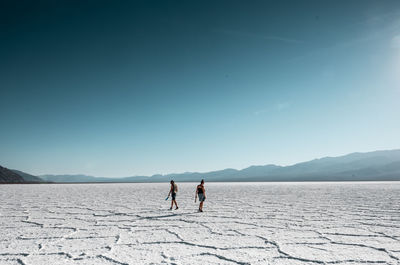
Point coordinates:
[[377, 165]]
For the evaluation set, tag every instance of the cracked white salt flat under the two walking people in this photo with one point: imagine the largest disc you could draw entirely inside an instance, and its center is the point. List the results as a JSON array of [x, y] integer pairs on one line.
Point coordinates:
[[243, 223]]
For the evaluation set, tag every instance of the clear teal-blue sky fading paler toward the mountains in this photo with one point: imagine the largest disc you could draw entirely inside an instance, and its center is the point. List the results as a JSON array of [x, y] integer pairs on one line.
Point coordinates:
[[123, 88]]
